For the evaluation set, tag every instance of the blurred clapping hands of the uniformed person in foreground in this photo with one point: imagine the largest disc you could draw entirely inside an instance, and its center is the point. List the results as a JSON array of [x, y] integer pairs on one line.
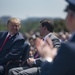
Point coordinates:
[[45, 49]]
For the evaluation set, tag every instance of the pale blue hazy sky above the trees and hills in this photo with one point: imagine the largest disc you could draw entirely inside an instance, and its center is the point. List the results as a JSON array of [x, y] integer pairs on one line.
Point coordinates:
[[32, 8]]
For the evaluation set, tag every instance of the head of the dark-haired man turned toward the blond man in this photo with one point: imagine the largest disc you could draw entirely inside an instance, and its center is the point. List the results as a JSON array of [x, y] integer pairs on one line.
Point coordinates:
[[46, 26]]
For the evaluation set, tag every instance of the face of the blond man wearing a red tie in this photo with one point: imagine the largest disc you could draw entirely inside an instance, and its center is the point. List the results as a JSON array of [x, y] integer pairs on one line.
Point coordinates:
[[13, 27]]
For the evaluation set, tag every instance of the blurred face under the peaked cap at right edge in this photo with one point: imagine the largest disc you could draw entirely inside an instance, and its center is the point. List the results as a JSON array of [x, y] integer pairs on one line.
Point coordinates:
[[70, 21]]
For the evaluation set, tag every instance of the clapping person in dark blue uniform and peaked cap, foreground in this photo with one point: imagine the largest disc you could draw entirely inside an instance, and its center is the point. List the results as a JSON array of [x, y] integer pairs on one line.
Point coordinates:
[[64, 60]]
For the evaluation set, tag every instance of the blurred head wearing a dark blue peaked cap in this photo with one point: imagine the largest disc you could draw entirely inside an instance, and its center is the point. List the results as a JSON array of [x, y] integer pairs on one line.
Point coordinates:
[[70, 19]]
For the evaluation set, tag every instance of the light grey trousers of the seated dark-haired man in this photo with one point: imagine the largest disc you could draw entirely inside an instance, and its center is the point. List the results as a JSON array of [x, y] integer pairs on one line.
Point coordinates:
[[23, 71]]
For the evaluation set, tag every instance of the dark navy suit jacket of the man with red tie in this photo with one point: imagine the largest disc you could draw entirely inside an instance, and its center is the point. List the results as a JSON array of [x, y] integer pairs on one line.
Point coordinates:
[[12, 49]]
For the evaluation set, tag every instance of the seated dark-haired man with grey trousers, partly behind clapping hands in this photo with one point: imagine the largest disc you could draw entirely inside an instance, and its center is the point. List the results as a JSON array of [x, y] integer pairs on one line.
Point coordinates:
[[46, 30]]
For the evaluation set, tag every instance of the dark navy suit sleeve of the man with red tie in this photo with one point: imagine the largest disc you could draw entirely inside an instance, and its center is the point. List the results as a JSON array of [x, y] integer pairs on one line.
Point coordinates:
[[15, 51]]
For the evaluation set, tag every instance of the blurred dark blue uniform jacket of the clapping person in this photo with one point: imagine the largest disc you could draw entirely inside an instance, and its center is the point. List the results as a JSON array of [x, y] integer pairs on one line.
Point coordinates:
[[64, 62]]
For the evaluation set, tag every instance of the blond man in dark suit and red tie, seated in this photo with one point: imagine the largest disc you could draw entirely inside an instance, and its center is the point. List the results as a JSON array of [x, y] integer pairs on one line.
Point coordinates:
[[11, 43]]
